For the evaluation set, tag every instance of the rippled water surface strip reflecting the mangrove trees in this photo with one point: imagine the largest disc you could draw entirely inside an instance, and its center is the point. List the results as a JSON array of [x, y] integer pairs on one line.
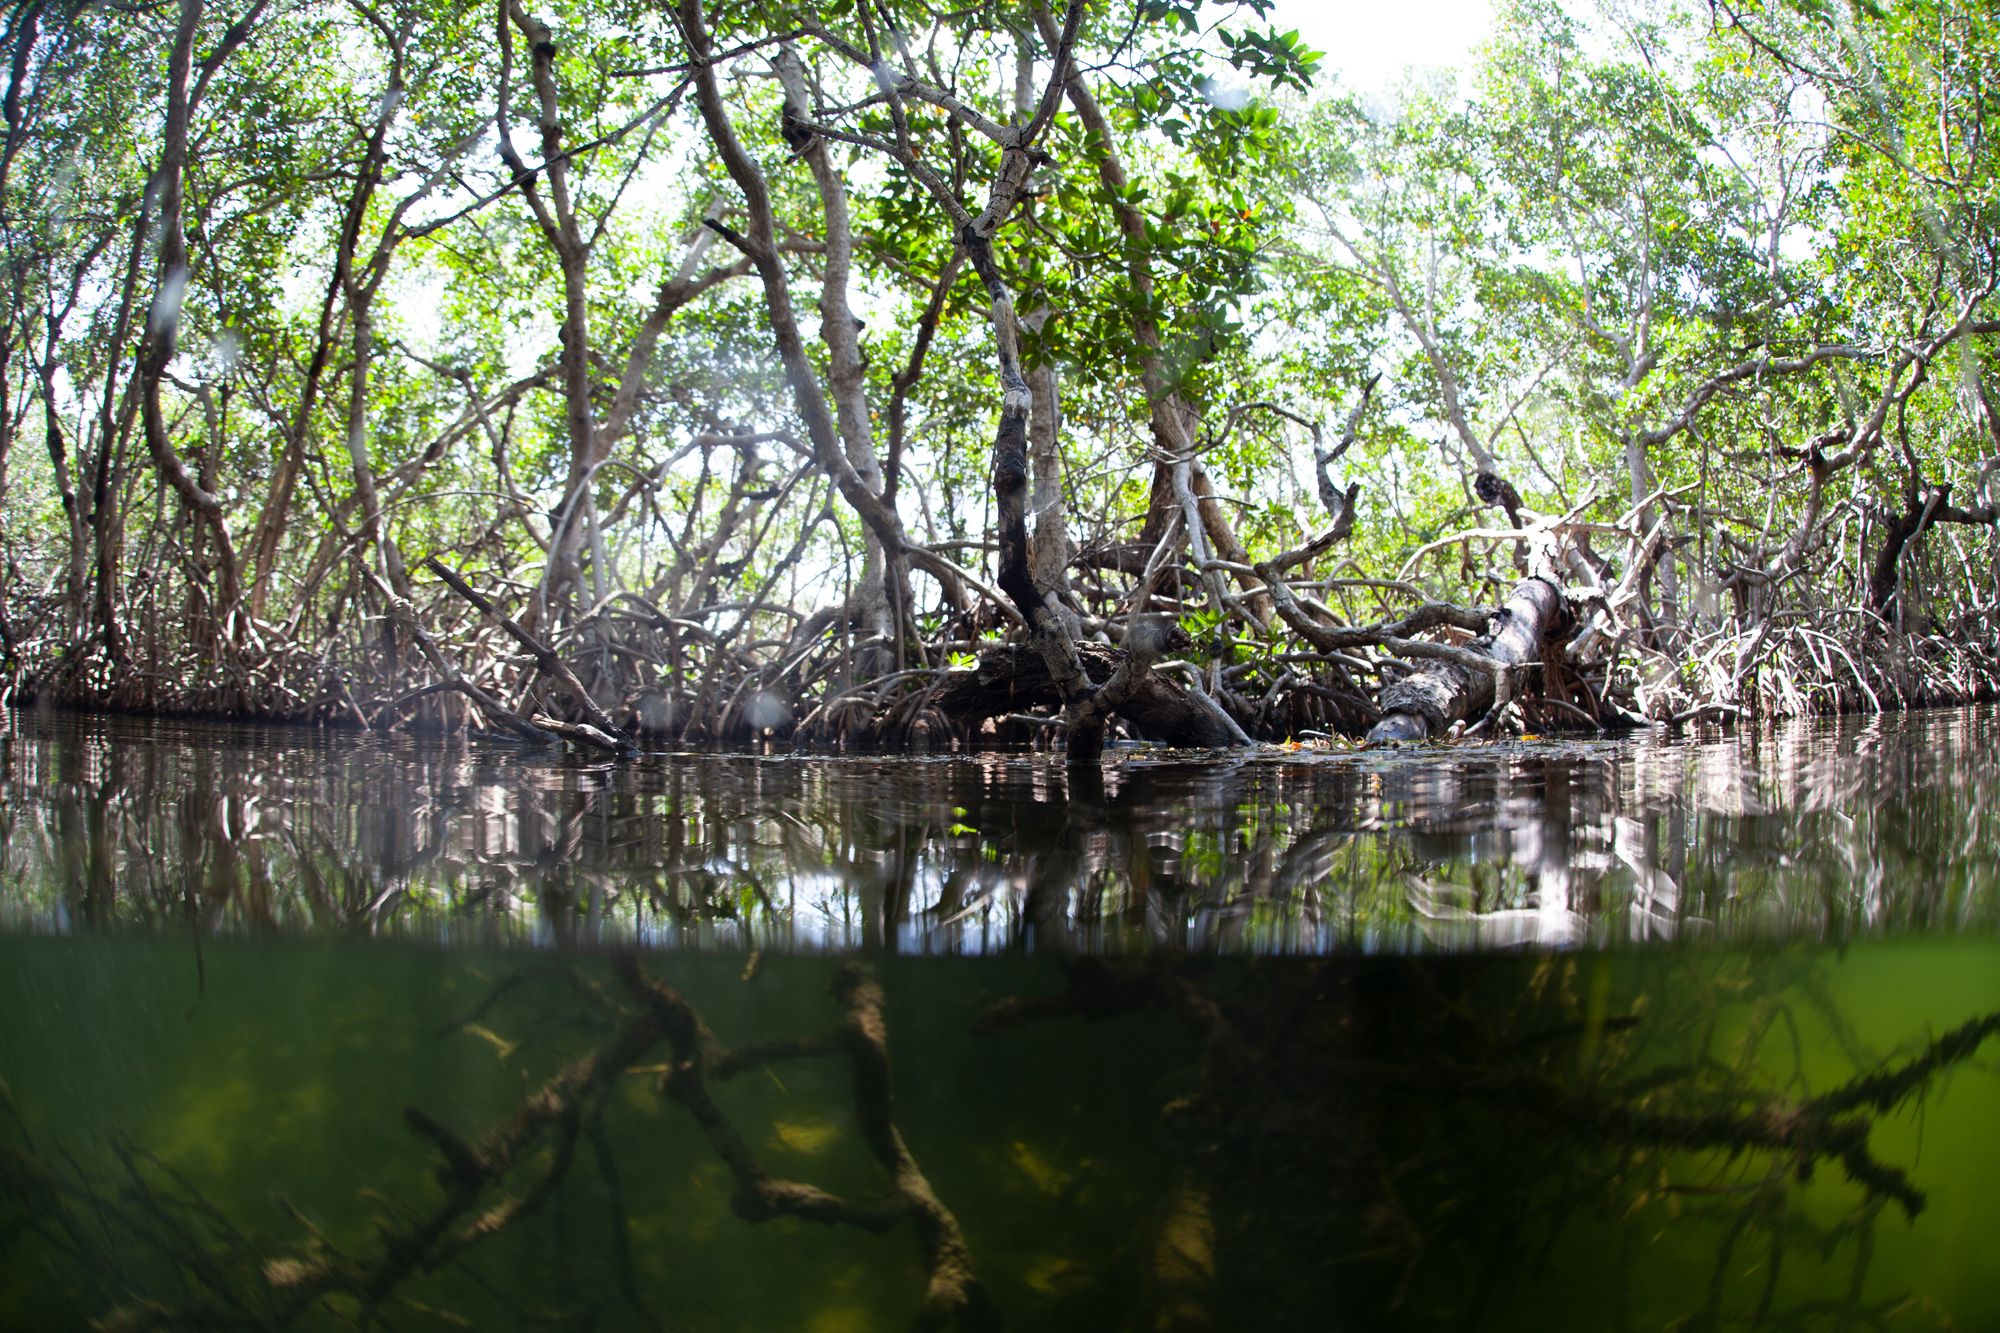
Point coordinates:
[[1825, 830]]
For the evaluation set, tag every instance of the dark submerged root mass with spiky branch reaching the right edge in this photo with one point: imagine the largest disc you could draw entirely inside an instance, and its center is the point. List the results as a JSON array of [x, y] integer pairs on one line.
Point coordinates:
[[1385, 1114]]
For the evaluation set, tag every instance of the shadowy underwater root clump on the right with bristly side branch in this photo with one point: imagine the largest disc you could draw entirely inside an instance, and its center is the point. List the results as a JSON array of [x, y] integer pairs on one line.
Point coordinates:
[[1367, 1098]]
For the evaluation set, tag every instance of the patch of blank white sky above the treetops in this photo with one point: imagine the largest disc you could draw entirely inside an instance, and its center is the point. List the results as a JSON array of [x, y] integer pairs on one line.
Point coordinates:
[[1371, 43]]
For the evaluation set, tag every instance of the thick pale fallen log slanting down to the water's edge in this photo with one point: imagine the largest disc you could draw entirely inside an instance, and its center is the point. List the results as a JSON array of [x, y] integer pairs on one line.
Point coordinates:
[[1465, 688]]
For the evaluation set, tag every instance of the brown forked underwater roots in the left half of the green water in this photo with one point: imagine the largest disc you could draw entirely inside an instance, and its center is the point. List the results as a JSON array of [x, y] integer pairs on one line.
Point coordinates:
[[247, 1282]]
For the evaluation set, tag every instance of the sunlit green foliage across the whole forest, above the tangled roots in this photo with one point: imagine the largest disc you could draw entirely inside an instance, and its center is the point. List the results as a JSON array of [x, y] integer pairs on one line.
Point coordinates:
[[1551, 269]]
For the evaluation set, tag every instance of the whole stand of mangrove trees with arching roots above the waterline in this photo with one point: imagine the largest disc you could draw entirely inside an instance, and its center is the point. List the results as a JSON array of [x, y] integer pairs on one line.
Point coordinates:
[[773, 365]]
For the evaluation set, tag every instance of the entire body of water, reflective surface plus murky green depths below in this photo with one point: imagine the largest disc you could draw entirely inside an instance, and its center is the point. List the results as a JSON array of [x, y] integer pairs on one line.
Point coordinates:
[[1247, 1046]]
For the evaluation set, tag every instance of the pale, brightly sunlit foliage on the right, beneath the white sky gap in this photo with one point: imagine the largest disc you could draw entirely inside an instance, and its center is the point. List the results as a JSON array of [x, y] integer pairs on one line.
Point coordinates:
[[1619, 209]]
